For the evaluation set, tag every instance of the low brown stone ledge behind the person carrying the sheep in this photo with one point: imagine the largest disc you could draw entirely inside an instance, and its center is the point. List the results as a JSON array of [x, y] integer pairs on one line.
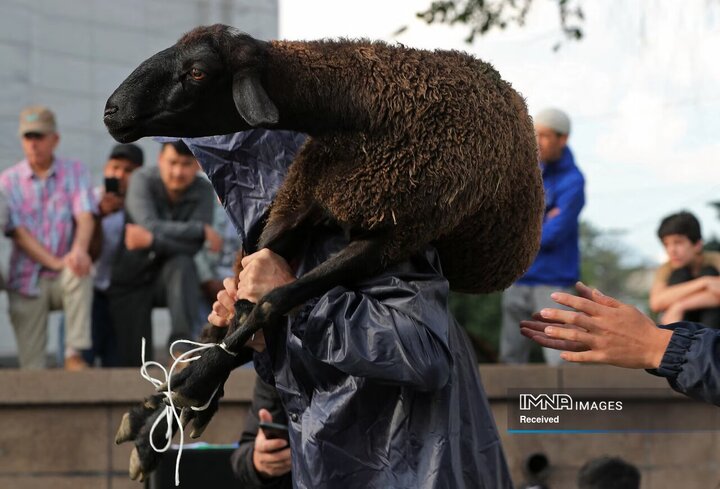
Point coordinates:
[[56, 428]]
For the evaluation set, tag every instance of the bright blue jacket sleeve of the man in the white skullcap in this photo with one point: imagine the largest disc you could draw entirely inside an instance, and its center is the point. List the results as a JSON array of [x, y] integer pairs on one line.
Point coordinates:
[[570, 201]]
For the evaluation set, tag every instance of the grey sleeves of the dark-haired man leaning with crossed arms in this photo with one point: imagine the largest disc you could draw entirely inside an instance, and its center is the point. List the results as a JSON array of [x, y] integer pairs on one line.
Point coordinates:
[[169, 237]]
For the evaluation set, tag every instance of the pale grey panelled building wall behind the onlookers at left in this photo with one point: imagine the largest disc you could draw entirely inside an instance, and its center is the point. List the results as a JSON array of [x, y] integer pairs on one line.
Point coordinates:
[[71, 54]]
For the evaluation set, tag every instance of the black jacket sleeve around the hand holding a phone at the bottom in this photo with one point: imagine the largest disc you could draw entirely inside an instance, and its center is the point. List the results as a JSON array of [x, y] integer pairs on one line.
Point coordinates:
[[264, 396]]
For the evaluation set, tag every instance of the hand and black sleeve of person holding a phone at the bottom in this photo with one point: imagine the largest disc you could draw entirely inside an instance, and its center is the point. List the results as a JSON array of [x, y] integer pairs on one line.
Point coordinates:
[[262, 459]]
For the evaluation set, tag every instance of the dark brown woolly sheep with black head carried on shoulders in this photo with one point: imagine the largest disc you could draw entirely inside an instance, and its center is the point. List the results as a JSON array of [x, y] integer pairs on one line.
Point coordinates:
[[406, 147]]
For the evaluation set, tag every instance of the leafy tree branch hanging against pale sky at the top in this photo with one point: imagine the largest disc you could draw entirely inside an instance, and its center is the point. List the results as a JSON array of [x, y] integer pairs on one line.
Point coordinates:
[[483, 16]]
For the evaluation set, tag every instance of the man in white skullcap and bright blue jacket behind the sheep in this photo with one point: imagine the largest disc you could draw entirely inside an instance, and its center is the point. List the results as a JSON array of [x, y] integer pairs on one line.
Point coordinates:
[[557, 266]]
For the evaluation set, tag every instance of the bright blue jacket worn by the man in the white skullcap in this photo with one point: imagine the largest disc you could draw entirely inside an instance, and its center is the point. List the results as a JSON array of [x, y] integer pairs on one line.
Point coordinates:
[[558, 261]]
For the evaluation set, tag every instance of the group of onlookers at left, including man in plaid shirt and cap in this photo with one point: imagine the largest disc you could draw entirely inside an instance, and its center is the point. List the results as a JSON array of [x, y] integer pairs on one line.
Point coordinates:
[[149, 236]]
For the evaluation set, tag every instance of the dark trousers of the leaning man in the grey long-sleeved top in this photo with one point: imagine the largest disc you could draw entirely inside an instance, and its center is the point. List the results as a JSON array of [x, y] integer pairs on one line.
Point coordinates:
[[176, 286]]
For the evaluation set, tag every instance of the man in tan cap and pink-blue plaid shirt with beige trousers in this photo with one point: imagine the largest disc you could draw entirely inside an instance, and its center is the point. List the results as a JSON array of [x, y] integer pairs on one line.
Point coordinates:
[[50, 222]]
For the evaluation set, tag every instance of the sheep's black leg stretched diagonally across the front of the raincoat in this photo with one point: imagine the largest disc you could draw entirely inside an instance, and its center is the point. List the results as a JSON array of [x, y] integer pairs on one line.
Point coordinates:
[[359, 259]]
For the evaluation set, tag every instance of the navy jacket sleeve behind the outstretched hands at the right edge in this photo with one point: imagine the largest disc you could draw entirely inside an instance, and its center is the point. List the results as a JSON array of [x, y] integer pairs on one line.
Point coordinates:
[[691, 362]]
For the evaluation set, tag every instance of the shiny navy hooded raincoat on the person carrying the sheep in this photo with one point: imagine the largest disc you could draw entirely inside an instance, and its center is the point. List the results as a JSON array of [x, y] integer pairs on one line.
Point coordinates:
[[379, 382]]
